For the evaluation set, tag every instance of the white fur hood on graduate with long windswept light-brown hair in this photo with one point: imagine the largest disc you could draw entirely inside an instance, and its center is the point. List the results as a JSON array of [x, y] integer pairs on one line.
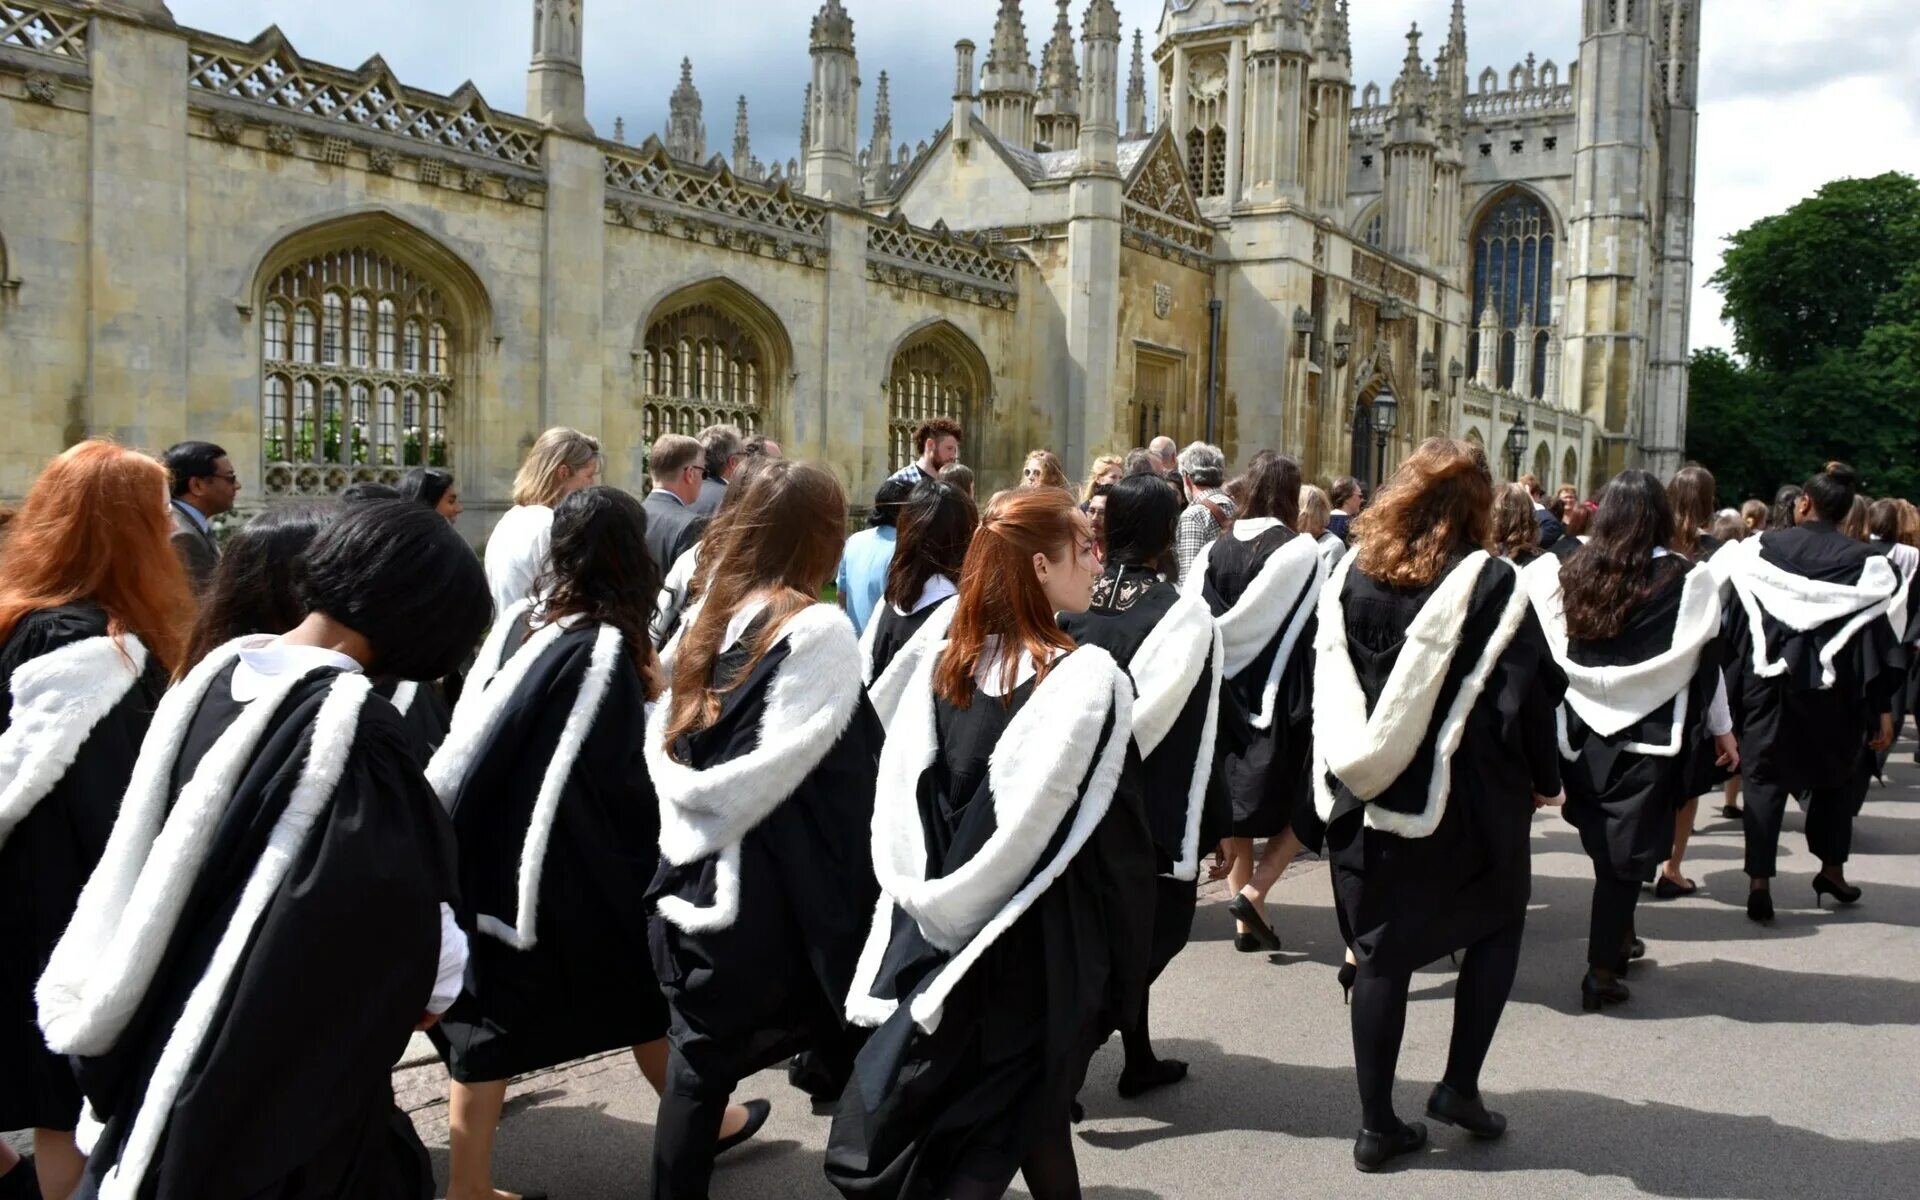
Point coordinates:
[[709, 811]]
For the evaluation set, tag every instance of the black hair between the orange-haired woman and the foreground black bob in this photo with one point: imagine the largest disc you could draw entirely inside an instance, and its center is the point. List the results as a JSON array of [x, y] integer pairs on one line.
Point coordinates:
[[254, 590]]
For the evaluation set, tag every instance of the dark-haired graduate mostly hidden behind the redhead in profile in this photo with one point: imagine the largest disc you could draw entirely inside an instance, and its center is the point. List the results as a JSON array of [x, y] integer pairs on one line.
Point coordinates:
[[934, 531]]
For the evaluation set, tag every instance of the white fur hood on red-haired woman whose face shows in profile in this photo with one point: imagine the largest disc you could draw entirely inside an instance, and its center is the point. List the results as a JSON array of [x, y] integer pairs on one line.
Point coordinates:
[[1036, 779]]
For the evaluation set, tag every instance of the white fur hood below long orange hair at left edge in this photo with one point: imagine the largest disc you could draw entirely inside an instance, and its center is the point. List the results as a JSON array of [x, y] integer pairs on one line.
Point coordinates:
[[59, 700]]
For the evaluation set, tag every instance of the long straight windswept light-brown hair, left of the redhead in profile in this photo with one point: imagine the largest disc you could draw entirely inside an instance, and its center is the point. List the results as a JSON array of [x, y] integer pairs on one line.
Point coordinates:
[[784, 542]]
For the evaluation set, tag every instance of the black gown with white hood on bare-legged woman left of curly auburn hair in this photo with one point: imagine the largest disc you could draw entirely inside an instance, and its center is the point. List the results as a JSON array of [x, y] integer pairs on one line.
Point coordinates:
[[1264, 592]]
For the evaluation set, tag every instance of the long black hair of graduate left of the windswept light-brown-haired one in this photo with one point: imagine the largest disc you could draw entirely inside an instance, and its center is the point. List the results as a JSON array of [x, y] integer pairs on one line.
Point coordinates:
[[600, 569]]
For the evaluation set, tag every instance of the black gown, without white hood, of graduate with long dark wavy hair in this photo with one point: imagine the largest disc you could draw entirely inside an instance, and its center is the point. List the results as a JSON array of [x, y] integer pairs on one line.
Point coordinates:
[[1621, 800]]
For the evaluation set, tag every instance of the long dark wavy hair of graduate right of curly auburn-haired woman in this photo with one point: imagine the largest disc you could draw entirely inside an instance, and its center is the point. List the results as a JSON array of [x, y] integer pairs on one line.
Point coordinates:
[[1610, 577]]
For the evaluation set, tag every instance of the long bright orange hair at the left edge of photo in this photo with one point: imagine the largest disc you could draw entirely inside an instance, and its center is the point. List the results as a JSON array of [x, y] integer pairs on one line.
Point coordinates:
[[95, 527]]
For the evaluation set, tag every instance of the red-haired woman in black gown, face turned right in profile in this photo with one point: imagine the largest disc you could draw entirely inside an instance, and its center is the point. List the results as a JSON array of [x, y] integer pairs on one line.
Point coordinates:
[[1013, 846]]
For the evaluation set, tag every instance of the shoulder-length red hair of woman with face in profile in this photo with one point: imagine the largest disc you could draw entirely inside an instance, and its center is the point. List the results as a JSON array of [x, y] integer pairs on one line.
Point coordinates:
[[1001, 596]]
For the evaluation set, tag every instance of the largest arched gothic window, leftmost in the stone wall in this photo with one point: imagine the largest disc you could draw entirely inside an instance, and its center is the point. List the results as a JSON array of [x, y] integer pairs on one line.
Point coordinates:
[[345, 395]]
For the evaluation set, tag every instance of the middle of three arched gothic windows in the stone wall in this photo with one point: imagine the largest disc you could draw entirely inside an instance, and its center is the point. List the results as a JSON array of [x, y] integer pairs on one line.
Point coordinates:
[[702, 368]]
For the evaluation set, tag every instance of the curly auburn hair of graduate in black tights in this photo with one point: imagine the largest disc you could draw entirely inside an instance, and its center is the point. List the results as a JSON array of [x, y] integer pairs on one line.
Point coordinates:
[[1437, 506]]
